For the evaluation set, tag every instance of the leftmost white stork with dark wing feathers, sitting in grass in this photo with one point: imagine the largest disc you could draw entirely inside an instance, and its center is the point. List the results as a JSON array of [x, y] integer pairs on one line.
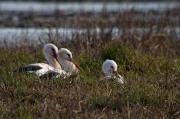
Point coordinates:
[[53, 67]]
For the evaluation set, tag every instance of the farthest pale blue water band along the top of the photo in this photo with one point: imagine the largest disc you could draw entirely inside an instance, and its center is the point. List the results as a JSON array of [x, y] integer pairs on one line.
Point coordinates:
[[87, 6]]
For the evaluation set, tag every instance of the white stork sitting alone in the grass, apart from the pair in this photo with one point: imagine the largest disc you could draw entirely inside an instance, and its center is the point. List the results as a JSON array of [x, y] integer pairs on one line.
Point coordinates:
[[109, 69]]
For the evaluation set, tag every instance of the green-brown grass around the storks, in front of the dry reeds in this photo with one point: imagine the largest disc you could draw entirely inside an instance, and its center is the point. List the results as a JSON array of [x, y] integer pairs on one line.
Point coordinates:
[[151, 91]]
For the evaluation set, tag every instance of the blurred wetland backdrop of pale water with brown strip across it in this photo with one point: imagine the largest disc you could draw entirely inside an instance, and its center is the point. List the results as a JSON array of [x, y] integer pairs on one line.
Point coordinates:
[[33, 21]]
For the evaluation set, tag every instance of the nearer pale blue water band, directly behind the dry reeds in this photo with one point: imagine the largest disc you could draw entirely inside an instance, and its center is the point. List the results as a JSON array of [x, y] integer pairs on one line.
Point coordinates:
[[34, 35]]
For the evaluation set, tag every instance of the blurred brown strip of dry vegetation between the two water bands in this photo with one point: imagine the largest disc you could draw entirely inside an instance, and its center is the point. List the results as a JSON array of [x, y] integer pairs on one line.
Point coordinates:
[[104, 19]]
